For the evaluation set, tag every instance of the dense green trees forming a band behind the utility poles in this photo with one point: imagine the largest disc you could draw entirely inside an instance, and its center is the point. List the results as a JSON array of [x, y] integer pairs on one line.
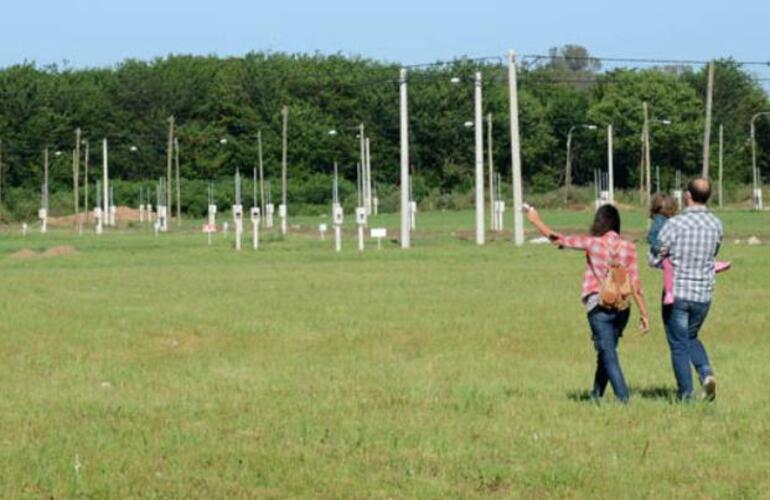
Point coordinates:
[[212, 98]]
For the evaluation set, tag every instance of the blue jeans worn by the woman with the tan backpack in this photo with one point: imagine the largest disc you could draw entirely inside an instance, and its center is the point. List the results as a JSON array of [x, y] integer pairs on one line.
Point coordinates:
[[606, 329]]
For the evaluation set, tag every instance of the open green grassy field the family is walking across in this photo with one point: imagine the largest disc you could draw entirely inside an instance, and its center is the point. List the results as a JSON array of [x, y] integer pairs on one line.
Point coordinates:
[[161, 367]]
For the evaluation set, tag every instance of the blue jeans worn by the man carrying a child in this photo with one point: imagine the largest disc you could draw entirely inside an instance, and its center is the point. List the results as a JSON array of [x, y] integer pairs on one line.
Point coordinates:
[[682, 320]]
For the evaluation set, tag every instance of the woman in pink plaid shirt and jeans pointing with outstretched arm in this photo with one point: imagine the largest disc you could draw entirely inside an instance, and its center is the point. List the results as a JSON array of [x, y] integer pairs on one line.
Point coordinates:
[[603, 246]]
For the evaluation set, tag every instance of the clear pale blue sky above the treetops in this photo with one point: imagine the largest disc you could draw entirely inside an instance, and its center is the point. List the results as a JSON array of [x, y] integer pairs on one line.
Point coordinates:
[[99, 33]]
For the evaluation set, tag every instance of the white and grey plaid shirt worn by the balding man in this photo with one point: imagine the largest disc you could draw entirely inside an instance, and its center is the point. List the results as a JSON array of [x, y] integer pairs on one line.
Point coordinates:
[[692, 241]]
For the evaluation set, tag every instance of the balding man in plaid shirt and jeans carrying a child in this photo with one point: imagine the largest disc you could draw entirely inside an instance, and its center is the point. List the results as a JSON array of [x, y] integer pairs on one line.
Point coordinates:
[[691, 241]]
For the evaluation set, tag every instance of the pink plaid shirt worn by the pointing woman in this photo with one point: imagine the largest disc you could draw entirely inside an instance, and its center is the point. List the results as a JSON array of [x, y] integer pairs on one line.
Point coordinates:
[[598, 250]]
